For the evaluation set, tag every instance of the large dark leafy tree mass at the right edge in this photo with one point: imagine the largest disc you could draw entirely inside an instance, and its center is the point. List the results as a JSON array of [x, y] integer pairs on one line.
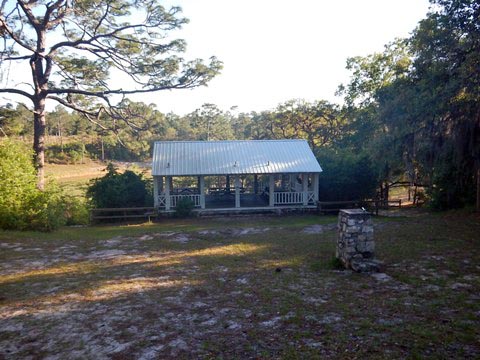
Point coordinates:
[[419, 102]]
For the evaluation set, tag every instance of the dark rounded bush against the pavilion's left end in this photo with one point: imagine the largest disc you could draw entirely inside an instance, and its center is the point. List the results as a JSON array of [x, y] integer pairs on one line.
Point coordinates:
[[116, 190]]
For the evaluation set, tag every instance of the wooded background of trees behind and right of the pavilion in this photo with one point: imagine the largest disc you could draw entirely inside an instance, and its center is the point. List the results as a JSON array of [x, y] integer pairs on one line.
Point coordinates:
[[411, 115]]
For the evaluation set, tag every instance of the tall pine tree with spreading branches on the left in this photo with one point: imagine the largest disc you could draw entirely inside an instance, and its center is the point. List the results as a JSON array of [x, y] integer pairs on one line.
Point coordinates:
[[75, 47]]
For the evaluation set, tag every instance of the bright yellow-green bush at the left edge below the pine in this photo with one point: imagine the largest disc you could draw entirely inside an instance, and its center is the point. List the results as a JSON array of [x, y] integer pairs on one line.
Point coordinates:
[[22, 205]]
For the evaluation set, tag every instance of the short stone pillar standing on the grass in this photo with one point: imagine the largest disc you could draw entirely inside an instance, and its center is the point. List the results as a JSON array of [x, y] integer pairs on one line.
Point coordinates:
[[355, 243]]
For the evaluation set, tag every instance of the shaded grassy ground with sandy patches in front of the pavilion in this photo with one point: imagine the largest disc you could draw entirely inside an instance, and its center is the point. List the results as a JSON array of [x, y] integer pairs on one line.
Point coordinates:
[[241, 287]]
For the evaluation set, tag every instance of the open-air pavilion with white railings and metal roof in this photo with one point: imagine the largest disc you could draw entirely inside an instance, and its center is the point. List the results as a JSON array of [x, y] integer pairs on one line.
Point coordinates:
[[235, 175]]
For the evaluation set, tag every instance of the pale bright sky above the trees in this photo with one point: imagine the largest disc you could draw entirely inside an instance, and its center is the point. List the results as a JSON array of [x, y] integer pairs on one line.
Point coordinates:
[[277, 50]]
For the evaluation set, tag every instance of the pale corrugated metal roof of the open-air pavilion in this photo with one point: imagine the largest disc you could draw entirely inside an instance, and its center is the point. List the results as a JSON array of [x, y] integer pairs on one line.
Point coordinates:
[[190, 158]]
